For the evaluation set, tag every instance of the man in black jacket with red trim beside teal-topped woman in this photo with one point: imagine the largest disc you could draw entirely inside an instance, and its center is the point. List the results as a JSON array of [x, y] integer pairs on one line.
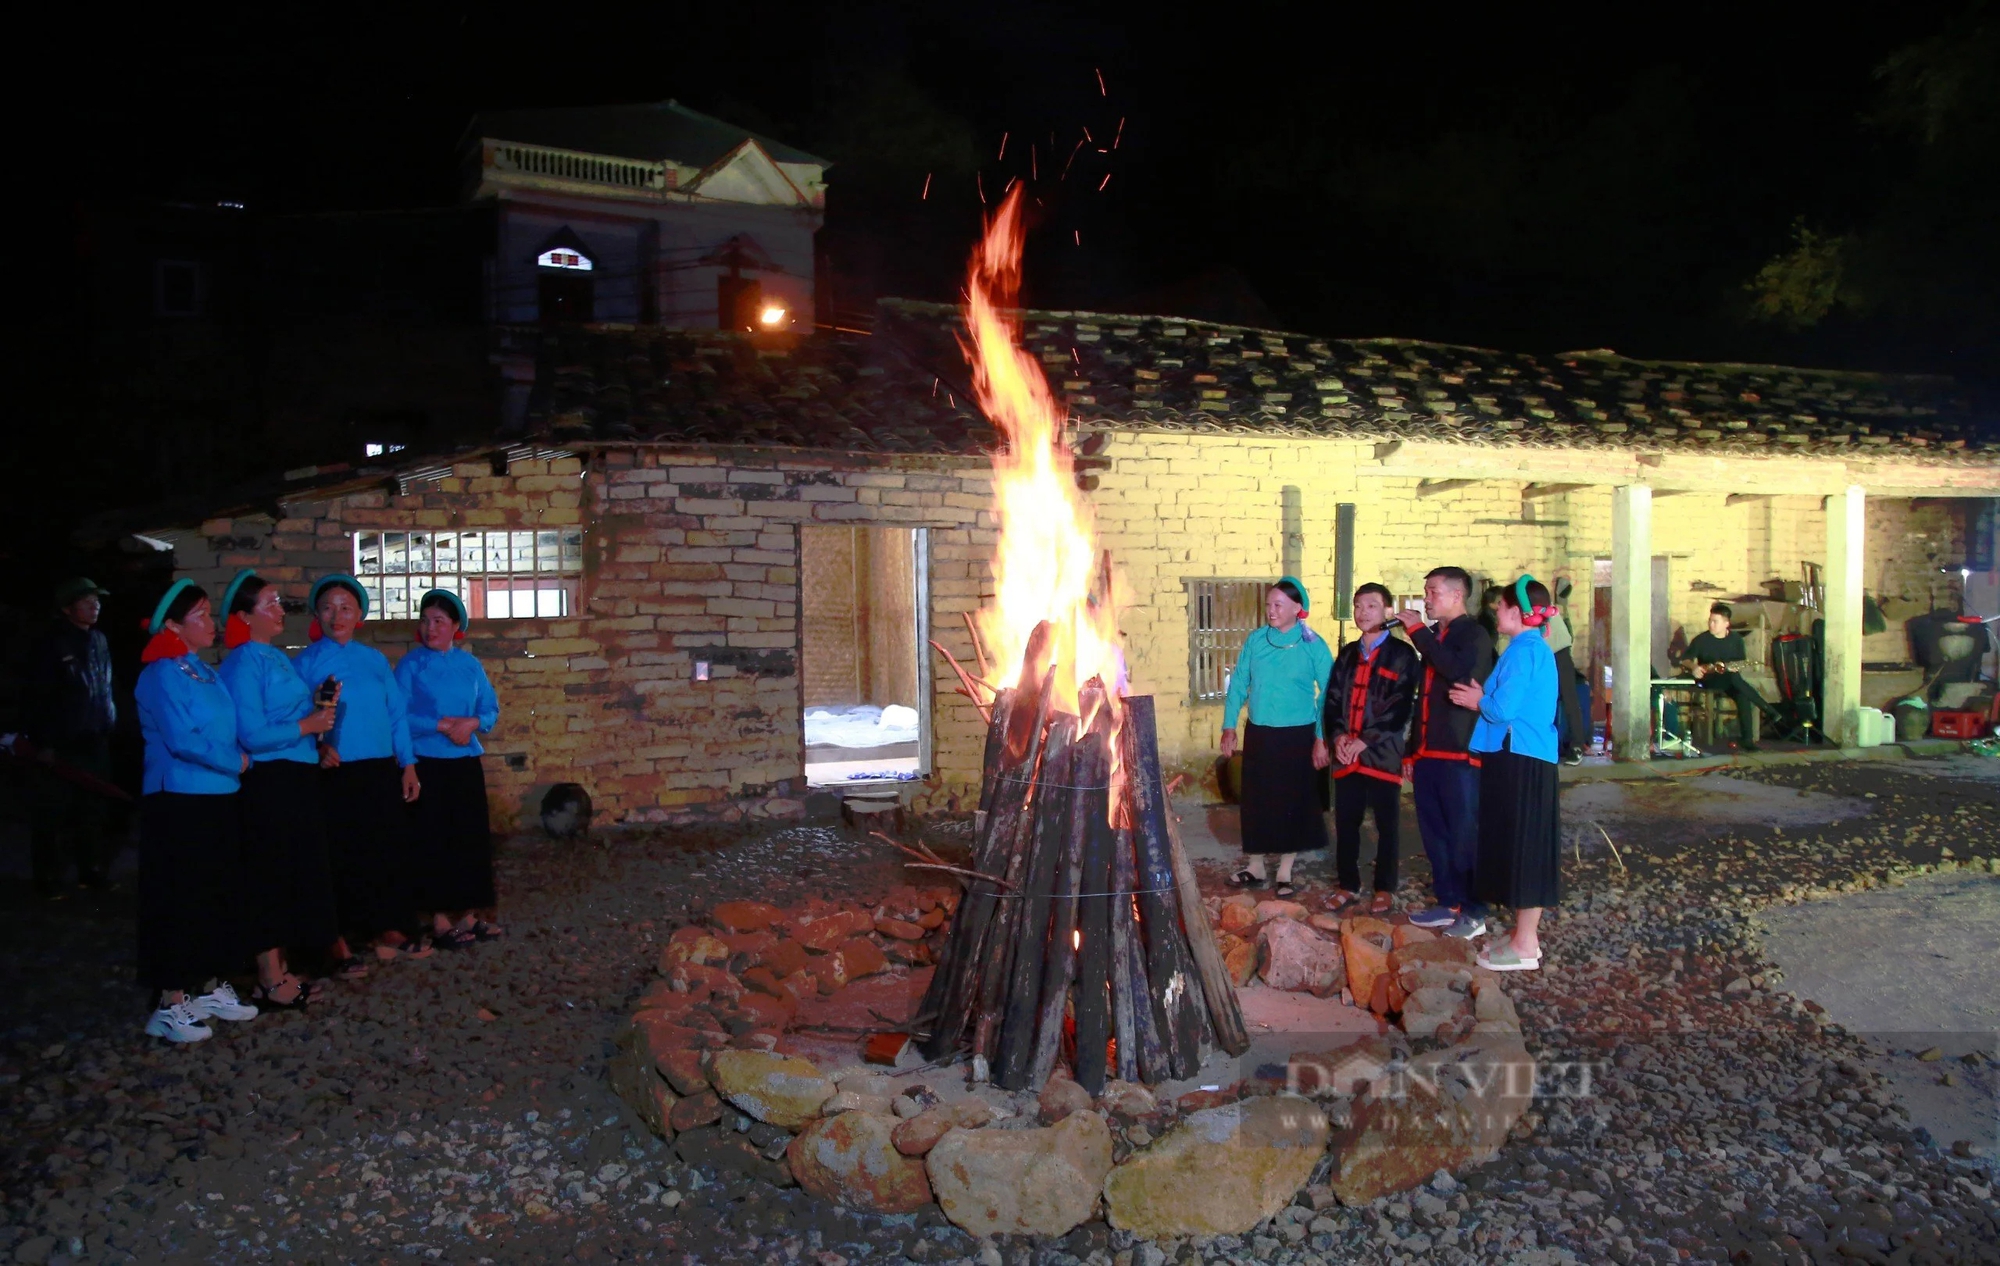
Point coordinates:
[[1367, 719]]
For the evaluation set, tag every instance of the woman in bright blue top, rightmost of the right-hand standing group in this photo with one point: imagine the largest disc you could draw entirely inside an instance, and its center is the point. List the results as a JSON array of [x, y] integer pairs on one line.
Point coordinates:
[[1515, 739]]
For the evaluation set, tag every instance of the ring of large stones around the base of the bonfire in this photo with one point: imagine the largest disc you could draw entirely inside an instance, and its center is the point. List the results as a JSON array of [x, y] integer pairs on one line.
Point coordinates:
[[749, 1057]]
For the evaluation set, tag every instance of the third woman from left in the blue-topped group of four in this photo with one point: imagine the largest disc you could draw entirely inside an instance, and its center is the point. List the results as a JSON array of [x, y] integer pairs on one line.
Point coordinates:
[[369, 773]]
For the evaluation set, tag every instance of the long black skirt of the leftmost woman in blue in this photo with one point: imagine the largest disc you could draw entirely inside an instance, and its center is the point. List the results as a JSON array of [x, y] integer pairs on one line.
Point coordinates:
[[189, 891]]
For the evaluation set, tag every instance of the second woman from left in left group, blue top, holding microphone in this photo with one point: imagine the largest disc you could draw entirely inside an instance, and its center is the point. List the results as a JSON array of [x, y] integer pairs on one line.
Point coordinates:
[[289, 885]]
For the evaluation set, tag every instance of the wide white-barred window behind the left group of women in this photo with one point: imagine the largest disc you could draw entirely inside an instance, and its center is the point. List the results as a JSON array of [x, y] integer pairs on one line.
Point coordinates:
[[499, 575]]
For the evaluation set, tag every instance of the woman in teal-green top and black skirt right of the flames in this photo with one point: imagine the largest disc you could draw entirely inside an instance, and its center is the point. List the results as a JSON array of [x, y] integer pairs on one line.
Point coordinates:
[[1281, 675]]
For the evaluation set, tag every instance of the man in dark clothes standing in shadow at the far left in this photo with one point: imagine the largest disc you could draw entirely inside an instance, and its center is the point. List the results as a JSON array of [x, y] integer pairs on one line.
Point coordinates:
[[71, 717]]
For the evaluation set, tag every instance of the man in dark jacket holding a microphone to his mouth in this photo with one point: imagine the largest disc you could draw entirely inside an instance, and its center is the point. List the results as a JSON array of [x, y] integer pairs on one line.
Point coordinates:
[[1445, 777]]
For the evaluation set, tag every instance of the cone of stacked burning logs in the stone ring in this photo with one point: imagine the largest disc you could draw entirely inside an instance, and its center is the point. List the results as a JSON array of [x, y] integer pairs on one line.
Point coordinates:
[[1081, 937]]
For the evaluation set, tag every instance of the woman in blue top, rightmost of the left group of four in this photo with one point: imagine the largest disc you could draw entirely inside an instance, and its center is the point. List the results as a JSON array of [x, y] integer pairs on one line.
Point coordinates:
[[451, 707]]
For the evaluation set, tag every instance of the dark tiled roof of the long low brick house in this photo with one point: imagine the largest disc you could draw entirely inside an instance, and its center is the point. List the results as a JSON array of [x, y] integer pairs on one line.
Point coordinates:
[[905, 391]]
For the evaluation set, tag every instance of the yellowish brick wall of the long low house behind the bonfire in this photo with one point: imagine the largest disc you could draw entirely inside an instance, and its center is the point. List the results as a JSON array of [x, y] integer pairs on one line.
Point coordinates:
[[697, 557]]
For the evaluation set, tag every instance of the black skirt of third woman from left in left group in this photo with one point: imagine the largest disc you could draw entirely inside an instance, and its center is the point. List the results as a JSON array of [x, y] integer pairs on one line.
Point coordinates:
[[369, 847]]
